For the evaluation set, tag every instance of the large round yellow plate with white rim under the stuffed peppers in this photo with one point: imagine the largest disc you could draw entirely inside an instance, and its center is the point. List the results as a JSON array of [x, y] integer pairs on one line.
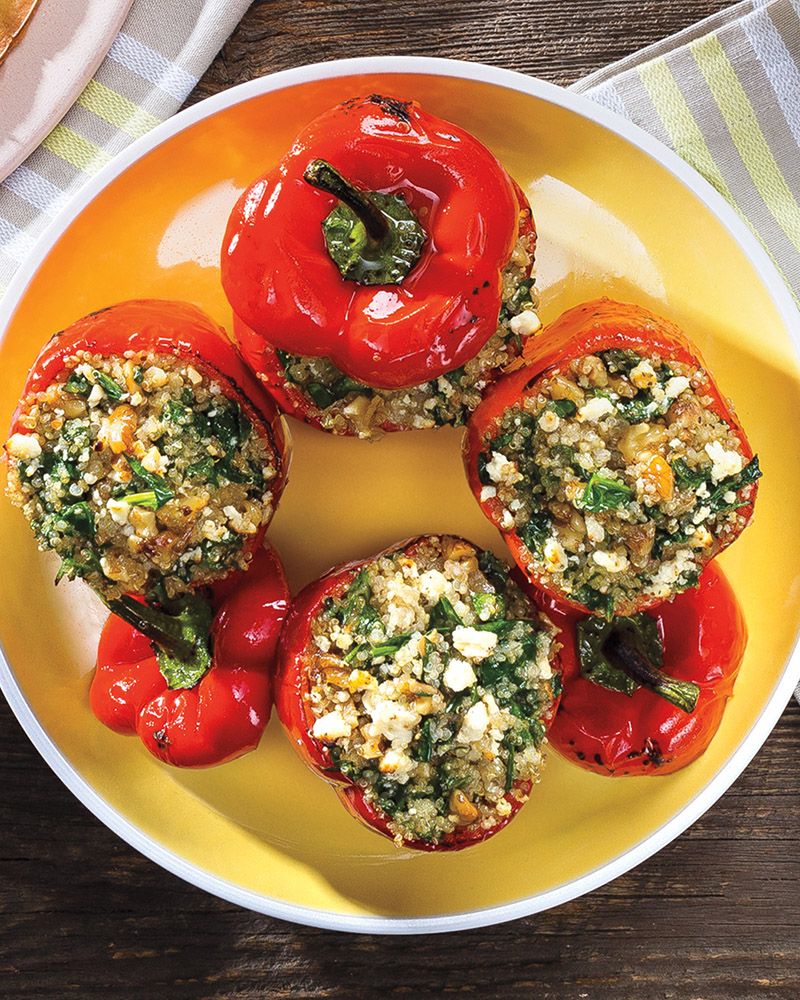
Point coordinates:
[[618, 215]]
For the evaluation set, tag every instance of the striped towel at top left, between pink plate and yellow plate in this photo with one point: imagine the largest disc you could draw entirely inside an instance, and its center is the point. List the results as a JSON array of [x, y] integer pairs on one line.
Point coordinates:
[[155, 61]]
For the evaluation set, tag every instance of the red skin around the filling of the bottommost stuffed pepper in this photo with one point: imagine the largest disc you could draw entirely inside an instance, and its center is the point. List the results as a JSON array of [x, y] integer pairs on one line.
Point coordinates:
[[292, 703]]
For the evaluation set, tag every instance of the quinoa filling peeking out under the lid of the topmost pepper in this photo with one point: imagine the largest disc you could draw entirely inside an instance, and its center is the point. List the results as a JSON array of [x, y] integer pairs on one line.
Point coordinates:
[[343, 406]]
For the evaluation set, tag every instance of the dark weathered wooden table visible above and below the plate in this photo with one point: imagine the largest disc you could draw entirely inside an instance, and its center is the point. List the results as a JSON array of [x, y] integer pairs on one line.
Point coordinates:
[[716, 915]]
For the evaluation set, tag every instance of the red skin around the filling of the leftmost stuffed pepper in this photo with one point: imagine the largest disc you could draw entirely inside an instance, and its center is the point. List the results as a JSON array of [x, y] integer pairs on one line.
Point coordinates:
[[158, 326]]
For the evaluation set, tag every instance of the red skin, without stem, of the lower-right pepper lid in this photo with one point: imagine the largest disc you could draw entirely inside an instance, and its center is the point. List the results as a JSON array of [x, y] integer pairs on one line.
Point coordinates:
[[704, 636]]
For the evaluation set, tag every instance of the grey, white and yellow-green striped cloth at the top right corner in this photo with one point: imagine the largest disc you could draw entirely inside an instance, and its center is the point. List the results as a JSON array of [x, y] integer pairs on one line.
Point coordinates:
[[725, 95]]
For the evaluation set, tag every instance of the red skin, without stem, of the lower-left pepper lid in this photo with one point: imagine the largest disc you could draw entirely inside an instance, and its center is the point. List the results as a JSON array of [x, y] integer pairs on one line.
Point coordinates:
[[223, 716]]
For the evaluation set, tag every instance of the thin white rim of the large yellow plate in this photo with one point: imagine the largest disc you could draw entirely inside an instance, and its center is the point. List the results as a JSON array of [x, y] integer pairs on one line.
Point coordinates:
[[761, 728]]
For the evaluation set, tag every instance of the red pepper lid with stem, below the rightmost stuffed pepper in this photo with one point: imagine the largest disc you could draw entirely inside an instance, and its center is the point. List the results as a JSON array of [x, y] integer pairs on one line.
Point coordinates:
[[646, 694]]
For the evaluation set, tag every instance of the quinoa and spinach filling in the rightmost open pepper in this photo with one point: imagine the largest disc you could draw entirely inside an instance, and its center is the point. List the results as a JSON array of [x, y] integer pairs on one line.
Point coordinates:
[[618, 477]]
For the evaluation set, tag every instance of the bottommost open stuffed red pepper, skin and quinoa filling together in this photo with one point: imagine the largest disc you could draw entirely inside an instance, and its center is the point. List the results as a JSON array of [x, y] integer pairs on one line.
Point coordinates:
[[420, 684]]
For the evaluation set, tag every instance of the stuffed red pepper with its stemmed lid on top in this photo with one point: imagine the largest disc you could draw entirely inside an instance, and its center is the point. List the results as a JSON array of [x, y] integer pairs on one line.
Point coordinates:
[[387, 298]]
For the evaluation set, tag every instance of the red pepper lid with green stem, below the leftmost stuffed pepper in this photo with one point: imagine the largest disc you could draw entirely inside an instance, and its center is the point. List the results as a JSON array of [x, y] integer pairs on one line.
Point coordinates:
[[194, 678]]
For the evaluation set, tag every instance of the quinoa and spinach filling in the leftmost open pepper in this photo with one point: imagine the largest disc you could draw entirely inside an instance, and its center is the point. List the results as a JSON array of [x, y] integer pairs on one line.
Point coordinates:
[[139, 469]]
